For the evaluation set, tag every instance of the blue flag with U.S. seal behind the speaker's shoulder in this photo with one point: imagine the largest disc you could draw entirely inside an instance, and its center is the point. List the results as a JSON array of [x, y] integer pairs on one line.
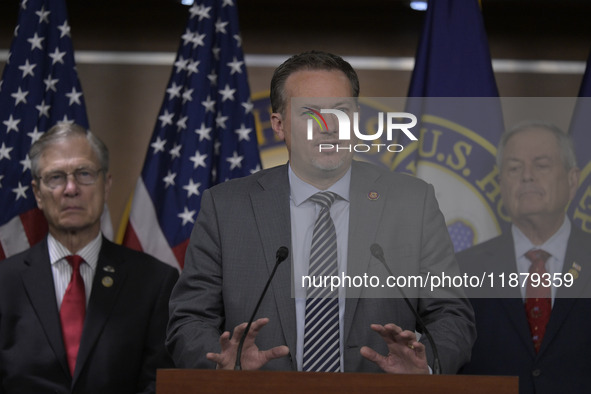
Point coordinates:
[[454, 95]]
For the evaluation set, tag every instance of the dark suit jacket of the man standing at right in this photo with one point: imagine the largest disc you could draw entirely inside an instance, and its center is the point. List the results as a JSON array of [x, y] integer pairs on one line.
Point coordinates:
[[504, 345]]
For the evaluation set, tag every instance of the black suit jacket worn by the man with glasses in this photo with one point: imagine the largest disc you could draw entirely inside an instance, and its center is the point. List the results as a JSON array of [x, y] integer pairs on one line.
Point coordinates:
[[123, 338]]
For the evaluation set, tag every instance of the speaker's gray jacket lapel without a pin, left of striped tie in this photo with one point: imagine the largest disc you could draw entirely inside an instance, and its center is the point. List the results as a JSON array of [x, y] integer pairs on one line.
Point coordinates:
[[272, 214]]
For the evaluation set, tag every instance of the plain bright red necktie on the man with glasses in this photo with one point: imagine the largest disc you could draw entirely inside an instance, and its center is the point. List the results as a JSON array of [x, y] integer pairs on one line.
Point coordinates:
[[72, 311]]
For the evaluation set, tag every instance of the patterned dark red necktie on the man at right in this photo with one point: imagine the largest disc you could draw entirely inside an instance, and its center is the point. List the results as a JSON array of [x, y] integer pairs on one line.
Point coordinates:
[[538, 299]]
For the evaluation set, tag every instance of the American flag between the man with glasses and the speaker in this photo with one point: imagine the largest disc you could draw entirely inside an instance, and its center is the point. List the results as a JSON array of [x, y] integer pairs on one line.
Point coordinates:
[[204, 134]]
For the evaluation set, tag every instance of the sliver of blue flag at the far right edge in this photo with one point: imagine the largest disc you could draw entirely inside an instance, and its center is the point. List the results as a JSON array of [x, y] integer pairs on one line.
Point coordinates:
[[579, 210]]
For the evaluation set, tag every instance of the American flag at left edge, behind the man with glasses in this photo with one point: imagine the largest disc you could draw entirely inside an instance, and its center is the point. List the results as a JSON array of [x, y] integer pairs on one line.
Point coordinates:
[[39, 88]]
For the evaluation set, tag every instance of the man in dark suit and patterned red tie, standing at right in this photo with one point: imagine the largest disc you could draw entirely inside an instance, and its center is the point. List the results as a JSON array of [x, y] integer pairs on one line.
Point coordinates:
[[539, 333]]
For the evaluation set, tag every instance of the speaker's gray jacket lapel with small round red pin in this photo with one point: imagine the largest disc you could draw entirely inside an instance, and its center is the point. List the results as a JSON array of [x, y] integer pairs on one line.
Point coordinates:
[[365, 215]]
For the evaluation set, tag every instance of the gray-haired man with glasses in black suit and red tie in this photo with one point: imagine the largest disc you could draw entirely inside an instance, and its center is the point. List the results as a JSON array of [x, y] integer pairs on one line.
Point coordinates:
[[79, 314]]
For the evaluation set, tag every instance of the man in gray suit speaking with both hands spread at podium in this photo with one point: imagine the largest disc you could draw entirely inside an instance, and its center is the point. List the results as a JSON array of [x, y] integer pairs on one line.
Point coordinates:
[[243, 222]]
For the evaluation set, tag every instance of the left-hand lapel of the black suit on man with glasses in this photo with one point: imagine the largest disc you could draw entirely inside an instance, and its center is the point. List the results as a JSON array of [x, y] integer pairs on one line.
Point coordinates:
[[38, 282]]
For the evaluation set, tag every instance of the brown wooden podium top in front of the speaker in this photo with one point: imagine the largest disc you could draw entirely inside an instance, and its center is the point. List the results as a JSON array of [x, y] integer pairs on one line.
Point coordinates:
[[186, 381]]
